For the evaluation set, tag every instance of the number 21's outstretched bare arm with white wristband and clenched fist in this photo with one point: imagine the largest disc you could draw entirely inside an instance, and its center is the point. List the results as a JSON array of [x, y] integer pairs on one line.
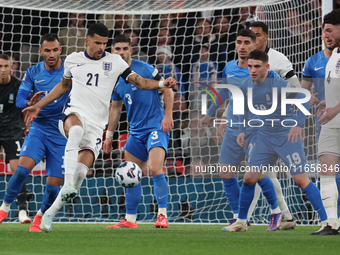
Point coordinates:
[[150, 84]]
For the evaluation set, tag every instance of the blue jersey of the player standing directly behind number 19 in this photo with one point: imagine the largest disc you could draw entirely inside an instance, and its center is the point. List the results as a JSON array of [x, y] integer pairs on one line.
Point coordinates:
[[234, 75]]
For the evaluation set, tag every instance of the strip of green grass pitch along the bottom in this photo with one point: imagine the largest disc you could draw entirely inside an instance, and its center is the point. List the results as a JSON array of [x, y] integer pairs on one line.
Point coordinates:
[[95, 239]]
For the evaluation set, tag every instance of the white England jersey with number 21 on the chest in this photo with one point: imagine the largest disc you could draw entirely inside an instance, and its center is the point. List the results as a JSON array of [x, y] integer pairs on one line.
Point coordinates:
[[92, 84]]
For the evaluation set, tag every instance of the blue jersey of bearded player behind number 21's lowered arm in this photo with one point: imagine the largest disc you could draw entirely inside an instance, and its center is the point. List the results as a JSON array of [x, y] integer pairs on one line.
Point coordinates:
[[38, 78]]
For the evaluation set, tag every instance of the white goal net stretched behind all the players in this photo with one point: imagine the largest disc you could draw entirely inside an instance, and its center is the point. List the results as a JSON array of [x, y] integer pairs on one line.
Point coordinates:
[[172, 35]]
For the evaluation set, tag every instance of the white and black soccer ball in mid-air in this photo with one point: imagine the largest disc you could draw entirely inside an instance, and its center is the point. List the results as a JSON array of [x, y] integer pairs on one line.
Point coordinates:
[[128, 174]]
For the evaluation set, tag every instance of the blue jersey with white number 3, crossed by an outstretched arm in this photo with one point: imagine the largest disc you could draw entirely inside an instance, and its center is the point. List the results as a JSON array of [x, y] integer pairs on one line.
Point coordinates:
[[143, 107]]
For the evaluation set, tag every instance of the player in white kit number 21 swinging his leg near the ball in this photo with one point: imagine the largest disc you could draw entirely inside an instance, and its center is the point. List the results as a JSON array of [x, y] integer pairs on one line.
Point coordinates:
[[93, 75]]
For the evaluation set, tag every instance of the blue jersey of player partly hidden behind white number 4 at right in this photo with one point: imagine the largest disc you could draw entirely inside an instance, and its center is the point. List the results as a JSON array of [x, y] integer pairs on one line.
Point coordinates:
[[315, 67]]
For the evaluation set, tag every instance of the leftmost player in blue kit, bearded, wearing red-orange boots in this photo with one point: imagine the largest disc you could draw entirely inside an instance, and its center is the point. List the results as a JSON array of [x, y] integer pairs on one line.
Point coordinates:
[[44, 138]]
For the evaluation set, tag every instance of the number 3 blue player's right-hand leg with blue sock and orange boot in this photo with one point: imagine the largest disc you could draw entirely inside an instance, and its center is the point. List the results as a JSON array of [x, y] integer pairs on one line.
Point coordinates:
[[161, 189]]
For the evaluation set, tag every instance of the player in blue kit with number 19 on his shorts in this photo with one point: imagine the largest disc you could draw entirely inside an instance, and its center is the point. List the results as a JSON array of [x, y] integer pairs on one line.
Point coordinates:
[[272, 141]]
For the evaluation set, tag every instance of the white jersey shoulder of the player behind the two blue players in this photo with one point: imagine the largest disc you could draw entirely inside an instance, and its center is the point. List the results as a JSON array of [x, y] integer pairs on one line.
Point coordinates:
[[279, 63]]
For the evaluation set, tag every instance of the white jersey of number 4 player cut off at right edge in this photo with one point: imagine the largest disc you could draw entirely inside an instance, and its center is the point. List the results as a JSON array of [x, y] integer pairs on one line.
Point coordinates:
[[332, 88]]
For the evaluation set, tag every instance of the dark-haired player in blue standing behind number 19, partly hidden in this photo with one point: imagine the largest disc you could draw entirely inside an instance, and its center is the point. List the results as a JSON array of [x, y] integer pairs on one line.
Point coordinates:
[[231, 153]]
